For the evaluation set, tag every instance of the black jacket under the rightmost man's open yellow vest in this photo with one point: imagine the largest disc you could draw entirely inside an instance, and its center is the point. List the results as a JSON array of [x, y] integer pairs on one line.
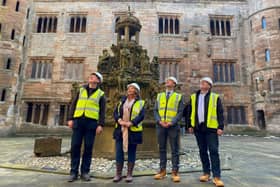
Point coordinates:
[[188, 111]]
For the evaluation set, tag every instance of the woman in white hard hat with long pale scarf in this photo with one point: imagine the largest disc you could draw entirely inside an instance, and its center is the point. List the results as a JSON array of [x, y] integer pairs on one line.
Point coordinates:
[[129, 114]]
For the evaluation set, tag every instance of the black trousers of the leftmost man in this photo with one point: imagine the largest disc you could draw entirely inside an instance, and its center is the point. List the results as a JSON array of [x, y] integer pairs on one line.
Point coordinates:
[[83, 130]]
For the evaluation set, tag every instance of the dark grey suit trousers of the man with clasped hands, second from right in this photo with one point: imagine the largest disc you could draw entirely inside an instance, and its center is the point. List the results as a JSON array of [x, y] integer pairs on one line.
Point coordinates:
[[172, 134]]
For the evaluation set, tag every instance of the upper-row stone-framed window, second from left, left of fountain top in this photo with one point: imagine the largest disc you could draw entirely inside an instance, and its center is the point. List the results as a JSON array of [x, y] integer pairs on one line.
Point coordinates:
[[82, 24]]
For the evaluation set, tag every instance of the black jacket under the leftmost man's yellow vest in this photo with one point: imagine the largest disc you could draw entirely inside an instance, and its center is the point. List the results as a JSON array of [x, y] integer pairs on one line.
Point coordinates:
[[102, 104]]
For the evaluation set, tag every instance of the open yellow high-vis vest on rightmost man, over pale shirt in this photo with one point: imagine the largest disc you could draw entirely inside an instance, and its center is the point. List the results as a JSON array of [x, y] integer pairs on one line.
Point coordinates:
[[212, 121]]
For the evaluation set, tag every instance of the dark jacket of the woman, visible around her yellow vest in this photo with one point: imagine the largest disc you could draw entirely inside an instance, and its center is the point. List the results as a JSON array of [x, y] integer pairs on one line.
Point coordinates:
[[133, 137]]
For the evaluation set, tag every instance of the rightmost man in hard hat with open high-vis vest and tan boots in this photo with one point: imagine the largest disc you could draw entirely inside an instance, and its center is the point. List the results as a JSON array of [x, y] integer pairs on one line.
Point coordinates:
[[205, 119]]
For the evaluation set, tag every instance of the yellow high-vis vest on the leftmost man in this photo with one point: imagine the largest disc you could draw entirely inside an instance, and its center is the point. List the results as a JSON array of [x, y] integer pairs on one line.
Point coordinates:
[[88, 106]]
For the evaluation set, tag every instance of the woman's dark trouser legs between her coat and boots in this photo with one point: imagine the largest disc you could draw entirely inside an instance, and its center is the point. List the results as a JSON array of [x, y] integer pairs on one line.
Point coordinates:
[[131, 152]]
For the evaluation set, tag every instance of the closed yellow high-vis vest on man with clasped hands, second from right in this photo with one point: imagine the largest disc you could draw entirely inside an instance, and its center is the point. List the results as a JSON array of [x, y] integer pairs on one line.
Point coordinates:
[[168, 109]]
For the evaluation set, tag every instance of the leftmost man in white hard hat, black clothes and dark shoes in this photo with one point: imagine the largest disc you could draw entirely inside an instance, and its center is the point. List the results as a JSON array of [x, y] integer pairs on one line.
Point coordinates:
[[86, 118]]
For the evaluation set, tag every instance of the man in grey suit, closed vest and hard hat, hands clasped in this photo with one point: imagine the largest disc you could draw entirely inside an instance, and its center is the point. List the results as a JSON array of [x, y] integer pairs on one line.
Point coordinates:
[[168, 111]]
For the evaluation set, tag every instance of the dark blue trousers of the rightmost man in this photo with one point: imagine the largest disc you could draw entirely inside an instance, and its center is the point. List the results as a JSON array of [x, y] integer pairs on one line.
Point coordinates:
[[209, 141]]
